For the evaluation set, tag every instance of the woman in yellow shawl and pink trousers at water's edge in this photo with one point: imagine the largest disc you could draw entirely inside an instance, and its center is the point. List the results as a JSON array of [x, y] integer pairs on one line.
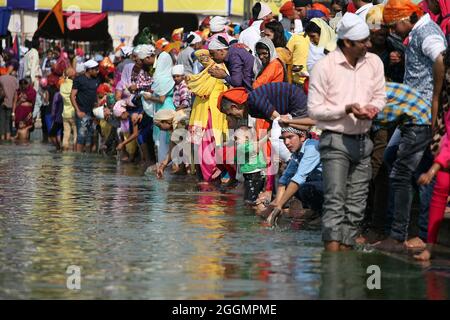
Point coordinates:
[[207, 125]]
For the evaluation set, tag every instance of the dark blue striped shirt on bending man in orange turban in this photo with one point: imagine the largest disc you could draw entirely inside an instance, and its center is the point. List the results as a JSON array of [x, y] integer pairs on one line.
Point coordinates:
[[282, 97]]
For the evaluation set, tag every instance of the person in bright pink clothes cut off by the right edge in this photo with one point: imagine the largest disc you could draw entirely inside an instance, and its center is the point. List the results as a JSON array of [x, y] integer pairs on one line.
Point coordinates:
[[440, 170]]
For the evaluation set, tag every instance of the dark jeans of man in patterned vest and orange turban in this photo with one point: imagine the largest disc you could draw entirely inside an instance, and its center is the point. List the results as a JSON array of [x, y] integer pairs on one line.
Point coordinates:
[[413, 144]]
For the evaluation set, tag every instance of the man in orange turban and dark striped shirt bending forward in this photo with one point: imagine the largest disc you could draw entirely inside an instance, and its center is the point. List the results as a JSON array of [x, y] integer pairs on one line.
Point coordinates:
[[267, 102]]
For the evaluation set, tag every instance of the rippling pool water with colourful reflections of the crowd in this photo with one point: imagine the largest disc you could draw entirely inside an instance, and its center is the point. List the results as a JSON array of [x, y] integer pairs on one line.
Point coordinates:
[[138, 238]]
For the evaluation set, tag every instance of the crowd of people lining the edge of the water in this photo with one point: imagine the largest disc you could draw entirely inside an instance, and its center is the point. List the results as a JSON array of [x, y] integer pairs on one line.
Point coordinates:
[[342, 106]]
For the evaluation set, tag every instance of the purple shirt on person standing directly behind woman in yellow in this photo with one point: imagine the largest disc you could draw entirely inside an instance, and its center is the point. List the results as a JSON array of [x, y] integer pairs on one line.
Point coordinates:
[[240, 65]]
